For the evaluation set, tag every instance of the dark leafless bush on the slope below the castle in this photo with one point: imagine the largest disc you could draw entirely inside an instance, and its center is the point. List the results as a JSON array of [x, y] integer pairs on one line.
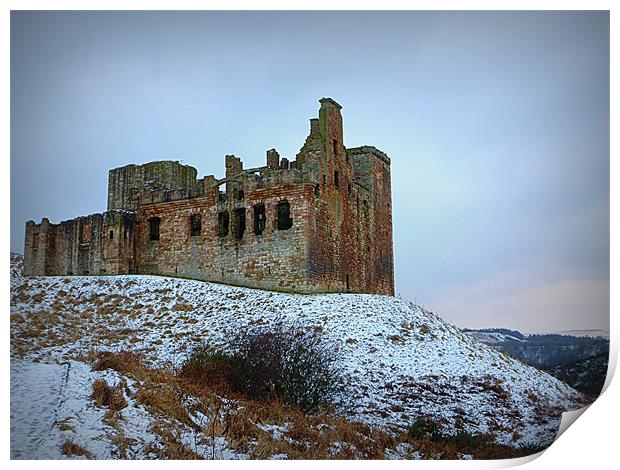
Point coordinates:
[[293, 366]]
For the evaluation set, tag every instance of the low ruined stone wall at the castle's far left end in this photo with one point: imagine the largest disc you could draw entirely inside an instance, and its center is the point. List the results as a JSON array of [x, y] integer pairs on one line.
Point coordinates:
[[95, 244]]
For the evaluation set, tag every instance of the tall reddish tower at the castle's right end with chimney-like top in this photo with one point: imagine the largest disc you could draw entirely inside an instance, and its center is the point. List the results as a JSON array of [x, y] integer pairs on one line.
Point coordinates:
[[350, 231]]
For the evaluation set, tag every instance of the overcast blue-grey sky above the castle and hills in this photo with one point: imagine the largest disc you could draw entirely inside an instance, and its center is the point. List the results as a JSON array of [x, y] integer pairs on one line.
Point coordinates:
[[497, 125]]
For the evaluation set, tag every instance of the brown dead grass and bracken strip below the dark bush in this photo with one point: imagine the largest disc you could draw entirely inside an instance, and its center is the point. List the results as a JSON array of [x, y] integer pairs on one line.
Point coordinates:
[[245, 423]]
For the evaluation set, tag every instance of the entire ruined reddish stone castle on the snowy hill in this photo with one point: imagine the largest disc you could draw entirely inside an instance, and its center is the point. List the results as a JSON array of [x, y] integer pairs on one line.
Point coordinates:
[[321, 223]]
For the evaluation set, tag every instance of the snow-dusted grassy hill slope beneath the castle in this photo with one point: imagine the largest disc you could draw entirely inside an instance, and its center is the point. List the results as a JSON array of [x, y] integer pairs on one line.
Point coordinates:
[[400, 360]]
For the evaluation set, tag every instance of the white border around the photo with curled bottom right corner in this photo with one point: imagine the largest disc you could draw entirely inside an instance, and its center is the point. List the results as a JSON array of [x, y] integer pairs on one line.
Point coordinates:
[[591, 443]]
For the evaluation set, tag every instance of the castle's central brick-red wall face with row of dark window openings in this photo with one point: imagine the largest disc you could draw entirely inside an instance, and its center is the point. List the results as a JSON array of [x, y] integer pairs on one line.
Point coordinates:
[[275, 259]]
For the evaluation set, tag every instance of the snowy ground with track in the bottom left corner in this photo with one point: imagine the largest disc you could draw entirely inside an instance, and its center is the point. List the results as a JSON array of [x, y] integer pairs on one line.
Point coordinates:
[[51, 405]]
